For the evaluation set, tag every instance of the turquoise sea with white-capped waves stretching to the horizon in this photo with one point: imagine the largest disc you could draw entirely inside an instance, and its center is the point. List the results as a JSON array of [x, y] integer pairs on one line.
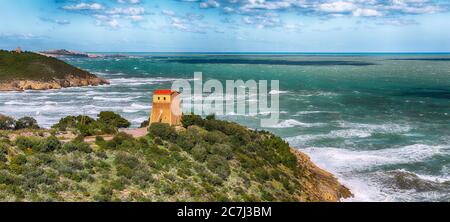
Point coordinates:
[[379, 122]]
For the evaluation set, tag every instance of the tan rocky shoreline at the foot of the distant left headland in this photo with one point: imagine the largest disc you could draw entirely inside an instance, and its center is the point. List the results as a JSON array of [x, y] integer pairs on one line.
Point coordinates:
[[69, 81]]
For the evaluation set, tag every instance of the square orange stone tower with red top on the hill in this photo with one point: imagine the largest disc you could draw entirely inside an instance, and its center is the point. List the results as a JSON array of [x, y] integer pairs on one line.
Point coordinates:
[[166, 107]]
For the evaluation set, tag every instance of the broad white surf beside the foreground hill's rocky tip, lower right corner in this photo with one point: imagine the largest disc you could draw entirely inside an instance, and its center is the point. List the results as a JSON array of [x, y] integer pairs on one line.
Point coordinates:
[[352, 166]]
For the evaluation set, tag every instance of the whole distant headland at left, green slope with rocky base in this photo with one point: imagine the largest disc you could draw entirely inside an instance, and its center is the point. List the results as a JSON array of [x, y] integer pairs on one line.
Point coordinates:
[[28, 70]]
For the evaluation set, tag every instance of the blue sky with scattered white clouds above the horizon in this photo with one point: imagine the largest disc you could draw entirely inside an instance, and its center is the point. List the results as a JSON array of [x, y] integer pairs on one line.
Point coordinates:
[[226, 25]]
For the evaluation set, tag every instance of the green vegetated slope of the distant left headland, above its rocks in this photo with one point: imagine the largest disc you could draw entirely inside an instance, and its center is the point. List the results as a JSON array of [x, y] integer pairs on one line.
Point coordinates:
[[32, 66]]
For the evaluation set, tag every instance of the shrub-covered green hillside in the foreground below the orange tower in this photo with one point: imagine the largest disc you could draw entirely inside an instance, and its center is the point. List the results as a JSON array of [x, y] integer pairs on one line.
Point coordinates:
[[206, 160]]
